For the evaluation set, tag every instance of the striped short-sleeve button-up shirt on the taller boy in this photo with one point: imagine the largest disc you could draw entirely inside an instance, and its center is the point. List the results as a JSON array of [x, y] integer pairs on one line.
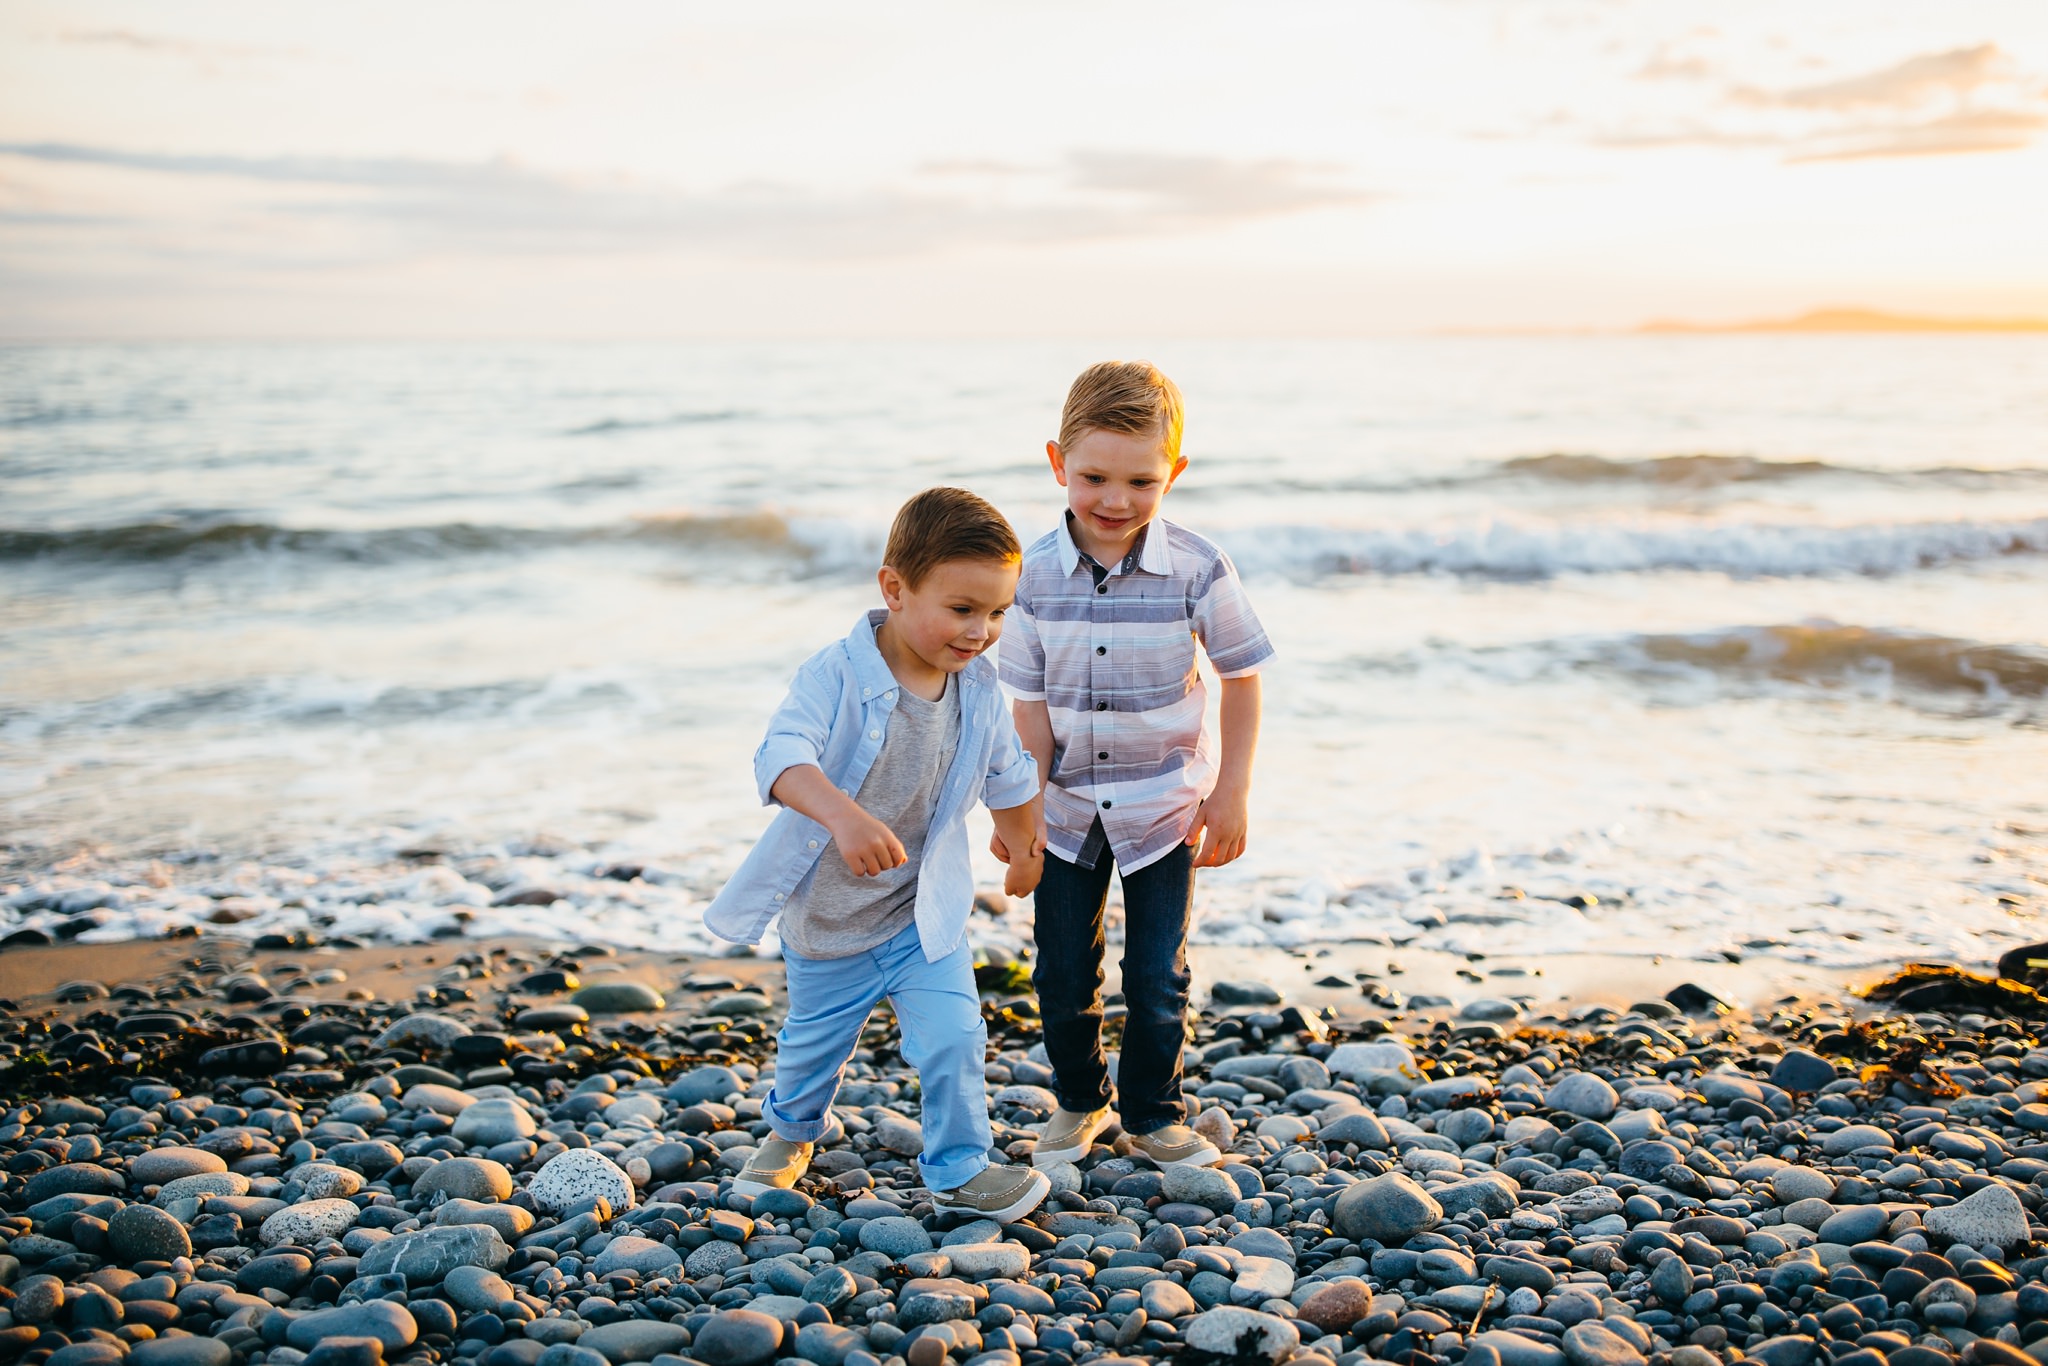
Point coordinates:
[[1115, 665]]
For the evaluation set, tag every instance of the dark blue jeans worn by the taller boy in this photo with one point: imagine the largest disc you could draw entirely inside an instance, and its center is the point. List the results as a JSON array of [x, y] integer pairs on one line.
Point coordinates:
[[1068, 978]]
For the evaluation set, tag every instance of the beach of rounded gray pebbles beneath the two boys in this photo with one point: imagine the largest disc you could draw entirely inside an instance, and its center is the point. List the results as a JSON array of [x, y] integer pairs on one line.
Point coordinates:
[[515, 1154]]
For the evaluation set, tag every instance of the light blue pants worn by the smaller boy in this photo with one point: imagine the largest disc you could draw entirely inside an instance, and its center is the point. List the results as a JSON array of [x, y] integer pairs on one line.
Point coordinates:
[[943, 1039]]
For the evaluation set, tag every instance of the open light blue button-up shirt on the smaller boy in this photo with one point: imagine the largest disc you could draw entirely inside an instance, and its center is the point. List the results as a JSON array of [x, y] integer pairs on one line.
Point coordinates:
[[837, 716]]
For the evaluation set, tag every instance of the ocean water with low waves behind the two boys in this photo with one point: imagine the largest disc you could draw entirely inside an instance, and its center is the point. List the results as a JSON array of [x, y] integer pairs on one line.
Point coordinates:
[[1662, 646]]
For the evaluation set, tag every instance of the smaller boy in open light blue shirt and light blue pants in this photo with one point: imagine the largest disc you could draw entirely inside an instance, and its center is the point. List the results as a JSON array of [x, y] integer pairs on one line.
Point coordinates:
[[878, 755]]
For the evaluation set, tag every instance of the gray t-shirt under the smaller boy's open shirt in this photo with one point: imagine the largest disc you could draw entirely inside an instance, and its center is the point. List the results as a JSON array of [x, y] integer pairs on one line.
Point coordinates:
[[837, 914]]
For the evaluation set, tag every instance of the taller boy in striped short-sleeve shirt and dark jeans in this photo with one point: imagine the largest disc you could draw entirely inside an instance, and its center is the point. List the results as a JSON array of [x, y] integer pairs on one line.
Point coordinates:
[[1101, 658]]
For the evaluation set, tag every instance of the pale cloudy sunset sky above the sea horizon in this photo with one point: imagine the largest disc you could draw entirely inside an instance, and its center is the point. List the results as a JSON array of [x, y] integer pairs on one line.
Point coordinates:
[[650, 169]]
